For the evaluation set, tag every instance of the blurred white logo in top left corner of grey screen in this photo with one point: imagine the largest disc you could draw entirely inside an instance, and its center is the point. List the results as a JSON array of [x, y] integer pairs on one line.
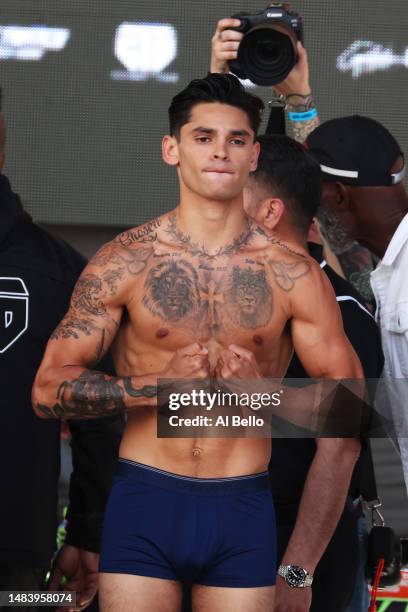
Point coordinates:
[[30, 43]]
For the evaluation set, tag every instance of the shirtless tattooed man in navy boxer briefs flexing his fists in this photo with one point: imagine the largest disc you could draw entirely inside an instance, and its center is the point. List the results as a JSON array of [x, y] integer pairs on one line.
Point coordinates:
[[199, 290]]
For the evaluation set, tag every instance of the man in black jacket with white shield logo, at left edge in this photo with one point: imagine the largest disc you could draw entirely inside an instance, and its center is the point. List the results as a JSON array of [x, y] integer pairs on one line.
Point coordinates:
[[37, 276]]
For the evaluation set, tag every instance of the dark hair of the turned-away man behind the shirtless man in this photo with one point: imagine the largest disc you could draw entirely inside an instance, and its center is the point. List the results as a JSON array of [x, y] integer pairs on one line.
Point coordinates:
[[286, 170]]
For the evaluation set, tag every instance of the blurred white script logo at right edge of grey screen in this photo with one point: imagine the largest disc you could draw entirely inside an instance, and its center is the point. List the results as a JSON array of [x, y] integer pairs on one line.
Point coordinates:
[[366, 57]]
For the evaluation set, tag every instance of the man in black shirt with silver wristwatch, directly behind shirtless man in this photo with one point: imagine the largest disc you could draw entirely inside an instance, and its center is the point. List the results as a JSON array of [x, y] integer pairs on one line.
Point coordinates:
[[299, 467]]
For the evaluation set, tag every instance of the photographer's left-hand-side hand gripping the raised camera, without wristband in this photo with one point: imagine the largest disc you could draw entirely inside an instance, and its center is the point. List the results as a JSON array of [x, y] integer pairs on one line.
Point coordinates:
[[224, 44]]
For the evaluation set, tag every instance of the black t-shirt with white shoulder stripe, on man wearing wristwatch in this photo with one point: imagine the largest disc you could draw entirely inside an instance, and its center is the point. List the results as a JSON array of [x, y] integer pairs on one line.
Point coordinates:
[[291, 458]]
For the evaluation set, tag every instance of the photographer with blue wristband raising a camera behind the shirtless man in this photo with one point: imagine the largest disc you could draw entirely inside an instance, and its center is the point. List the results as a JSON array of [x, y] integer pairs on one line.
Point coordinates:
[[272, 54]]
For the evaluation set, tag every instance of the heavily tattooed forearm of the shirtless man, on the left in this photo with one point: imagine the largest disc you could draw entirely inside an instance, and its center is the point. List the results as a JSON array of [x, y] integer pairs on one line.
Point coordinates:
[[94, 394]]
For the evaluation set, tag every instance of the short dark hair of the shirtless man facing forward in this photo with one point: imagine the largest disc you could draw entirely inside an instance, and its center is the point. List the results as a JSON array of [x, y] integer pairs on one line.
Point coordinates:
[[222, 88]]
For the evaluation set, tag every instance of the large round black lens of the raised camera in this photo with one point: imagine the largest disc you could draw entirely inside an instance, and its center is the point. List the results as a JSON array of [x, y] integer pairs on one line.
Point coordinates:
[[267, 54]]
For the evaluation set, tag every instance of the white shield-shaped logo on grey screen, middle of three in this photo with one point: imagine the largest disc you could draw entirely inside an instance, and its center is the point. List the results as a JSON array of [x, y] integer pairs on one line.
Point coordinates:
[[146, 50]]
